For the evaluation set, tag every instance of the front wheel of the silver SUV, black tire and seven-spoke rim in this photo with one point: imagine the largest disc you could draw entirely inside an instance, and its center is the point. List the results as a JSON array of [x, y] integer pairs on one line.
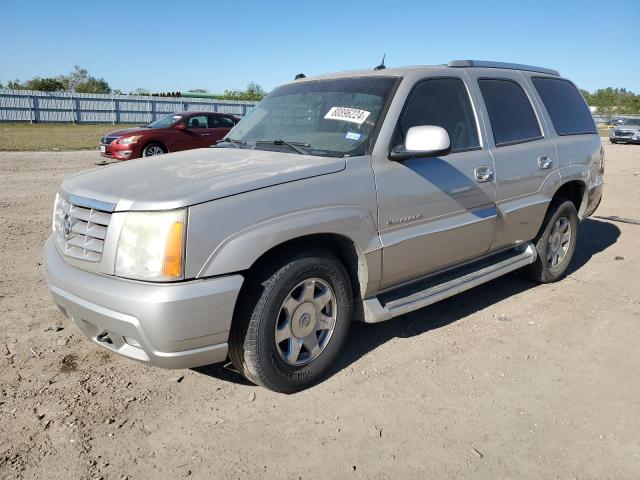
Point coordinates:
[[285, 301]]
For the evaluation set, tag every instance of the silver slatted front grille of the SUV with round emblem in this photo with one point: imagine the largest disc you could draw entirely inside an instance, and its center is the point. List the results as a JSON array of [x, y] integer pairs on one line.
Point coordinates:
[[79, 230]]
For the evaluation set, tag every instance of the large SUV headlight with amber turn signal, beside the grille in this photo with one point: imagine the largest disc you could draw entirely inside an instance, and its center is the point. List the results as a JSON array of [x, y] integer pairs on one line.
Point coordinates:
[[151, 246]]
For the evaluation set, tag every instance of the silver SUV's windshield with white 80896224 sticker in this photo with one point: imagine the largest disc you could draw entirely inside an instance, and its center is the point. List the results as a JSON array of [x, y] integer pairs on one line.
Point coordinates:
[[324, 117]]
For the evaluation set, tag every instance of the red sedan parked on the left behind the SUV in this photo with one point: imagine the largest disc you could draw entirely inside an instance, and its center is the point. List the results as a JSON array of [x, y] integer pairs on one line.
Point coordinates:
[[175, 132]]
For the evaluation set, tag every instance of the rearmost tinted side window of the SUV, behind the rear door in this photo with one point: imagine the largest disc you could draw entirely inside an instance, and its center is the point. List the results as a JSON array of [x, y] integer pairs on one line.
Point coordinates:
[[566, 107]]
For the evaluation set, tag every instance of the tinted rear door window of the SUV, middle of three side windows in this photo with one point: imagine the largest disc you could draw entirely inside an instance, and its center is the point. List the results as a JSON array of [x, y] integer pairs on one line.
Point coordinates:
[[510, 112]]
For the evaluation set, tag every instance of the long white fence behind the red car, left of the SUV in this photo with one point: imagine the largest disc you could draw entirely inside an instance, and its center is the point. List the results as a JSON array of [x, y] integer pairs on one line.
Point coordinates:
[[70, 107]]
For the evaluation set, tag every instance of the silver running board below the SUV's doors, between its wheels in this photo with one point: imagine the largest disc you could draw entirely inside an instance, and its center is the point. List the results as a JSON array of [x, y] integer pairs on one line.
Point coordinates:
[[425, 292]]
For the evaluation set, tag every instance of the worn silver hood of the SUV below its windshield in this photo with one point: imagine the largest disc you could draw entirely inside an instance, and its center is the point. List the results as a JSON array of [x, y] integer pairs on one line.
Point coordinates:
[[194, 176]]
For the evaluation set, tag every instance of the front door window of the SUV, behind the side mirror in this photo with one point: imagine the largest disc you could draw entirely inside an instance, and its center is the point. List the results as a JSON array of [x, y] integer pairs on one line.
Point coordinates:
[[443, 102]]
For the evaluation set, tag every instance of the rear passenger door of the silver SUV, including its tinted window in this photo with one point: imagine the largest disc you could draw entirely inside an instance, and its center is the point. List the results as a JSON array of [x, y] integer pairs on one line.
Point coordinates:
[[524, 155]]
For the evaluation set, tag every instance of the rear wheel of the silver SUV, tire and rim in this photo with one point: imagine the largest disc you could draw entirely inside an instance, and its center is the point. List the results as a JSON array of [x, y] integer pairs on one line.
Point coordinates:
[[556, 243]]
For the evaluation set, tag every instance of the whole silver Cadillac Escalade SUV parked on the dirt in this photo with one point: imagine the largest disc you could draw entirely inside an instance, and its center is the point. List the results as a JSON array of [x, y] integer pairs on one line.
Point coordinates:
[[361, 195]]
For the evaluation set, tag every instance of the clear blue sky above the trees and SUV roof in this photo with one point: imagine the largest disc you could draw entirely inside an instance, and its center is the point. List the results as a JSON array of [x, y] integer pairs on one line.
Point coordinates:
[[176, 45]]
